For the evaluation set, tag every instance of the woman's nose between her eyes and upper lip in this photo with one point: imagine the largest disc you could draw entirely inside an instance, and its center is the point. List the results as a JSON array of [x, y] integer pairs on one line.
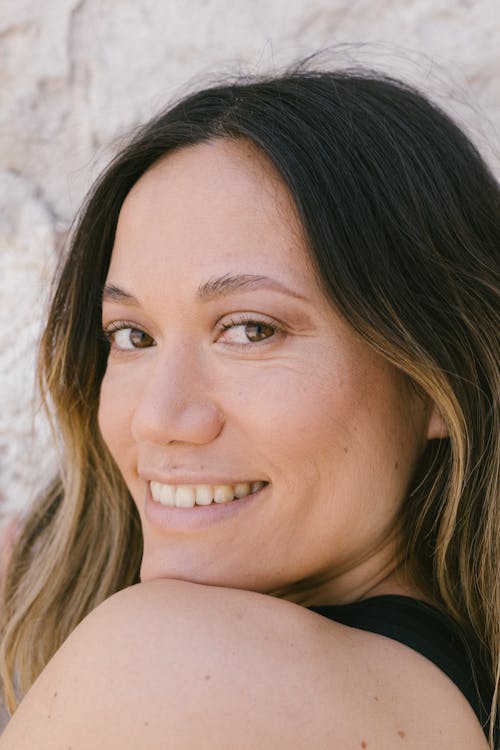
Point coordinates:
[[175, 405]]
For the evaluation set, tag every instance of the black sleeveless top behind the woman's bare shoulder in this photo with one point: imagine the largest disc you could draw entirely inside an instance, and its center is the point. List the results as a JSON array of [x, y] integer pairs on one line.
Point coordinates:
[[426, 630]]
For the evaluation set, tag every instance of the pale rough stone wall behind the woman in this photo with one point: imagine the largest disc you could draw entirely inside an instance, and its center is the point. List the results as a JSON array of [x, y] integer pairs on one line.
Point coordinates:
[[76, 74]]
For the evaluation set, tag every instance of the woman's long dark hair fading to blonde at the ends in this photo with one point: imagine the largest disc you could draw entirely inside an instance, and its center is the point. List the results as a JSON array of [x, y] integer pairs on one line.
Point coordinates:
[[400, 215]]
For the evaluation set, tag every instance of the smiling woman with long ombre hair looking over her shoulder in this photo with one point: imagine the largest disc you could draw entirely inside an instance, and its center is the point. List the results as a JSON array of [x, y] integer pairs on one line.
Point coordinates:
[[271, 361]]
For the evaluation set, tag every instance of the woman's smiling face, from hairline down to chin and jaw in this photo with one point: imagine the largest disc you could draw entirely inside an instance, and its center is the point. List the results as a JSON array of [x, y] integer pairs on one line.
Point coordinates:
[[230, 372]]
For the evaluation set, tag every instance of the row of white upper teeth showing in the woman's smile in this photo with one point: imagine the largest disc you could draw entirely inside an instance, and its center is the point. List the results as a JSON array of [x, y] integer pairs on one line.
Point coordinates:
[[187, 496]]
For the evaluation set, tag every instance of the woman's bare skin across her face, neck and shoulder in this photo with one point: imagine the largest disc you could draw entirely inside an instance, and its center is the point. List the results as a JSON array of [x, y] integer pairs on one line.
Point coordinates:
[[199, 654]]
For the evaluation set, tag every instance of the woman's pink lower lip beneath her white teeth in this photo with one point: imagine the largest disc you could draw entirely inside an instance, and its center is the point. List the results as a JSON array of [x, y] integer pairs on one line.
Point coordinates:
[[170, 518]]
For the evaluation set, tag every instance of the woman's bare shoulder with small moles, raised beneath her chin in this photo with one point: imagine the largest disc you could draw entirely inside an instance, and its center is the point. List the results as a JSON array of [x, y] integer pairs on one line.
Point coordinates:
[[174, 664]]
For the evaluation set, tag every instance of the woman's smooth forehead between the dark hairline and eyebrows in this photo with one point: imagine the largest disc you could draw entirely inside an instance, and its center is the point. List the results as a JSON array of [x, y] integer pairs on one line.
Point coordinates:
[[211, 208]]
